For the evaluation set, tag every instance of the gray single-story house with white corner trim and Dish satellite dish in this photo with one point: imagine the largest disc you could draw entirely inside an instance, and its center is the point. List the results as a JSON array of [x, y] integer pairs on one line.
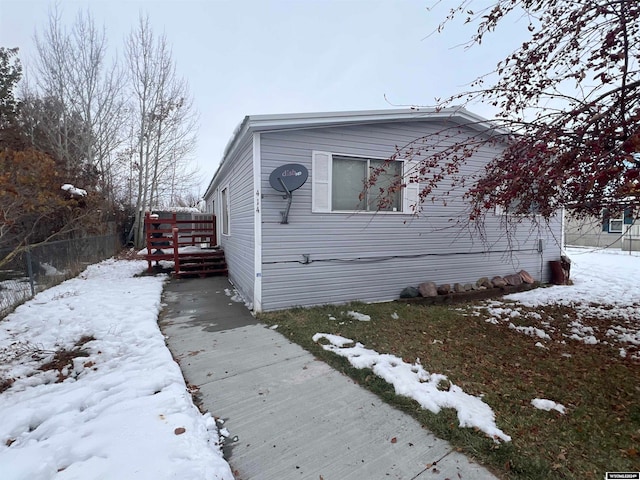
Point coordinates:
[[334, 248]]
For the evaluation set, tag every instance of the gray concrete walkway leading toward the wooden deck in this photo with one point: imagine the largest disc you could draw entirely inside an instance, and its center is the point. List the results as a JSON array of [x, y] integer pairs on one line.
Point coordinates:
[[296, 418]]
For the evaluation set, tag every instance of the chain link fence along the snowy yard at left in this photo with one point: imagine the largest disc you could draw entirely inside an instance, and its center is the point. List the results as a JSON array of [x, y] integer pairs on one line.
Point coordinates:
[[43, 266]]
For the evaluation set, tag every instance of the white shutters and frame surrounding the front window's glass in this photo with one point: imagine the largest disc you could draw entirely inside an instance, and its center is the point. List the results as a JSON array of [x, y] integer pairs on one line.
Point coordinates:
[[321, 185]]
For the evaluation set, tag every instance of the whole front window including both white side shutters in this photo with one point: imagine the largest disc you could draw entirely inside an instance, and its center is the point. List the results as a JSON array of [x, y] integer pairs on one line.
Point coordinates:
[[338, 182]]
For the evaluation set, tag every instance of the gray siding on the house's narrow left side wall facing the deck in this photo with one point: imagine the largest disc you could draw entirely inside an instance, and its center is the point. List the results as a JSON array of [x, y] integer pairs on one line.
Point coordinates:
[[239, 250]]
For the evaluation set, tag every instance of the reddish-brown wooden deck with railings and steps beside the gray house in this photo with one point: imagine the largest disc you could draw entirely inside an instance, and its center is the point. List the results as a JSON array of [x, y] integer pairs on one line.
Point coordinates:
[[189, 244]]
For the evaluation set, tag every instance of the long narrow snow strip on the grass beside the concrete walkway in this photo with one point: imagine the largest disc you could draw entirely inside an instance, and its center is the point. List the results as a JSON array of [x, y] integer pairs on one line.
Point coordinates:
[[415, 382]]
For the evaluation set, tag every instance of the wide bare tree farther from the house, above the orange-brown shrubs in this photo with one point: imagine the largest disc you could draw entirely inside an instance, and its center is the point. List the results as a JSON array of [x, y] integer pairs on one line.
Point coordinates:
[[74, 75]]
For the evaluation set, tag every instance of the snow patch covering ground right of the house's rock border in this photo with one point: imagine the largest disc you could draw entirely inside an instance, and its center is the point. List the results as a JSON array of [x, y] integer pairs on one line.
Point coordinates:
[[605, 291]]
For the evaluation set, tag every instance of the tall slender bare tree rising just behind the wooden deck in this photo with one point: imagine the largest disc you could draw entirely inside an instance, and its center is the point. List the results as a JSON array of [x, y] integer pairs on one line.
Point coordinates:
[[164, 119]]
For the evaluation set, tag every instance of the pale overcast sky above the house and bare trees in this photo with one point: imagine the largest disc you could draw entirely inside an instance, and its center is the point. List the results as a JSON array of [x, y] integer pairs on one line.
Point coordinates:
[[277, 56]]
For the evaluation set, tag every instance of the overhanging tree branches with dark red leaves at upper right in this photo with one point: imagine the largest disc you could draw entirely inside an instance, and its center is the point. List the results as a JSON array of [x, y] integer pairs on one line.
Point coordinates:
[[569, 100]]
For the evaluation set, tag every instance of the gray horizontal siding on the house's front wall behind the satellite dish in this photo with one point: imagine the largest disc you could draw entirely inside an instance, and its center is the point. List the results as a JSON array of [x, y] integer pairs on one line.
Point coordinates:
[[373, 257]]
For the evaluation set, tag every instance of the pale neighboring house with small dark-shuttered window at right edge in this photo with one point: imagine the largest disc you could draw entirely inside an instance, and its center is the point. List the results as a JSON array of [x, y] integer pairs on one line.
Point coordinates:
[[613, 229]]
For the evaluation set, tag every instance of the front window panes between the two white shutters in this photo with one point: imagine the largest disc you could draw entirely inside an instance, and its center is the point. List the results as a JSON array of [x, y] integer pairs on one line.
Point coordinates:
[[349, 175]]
